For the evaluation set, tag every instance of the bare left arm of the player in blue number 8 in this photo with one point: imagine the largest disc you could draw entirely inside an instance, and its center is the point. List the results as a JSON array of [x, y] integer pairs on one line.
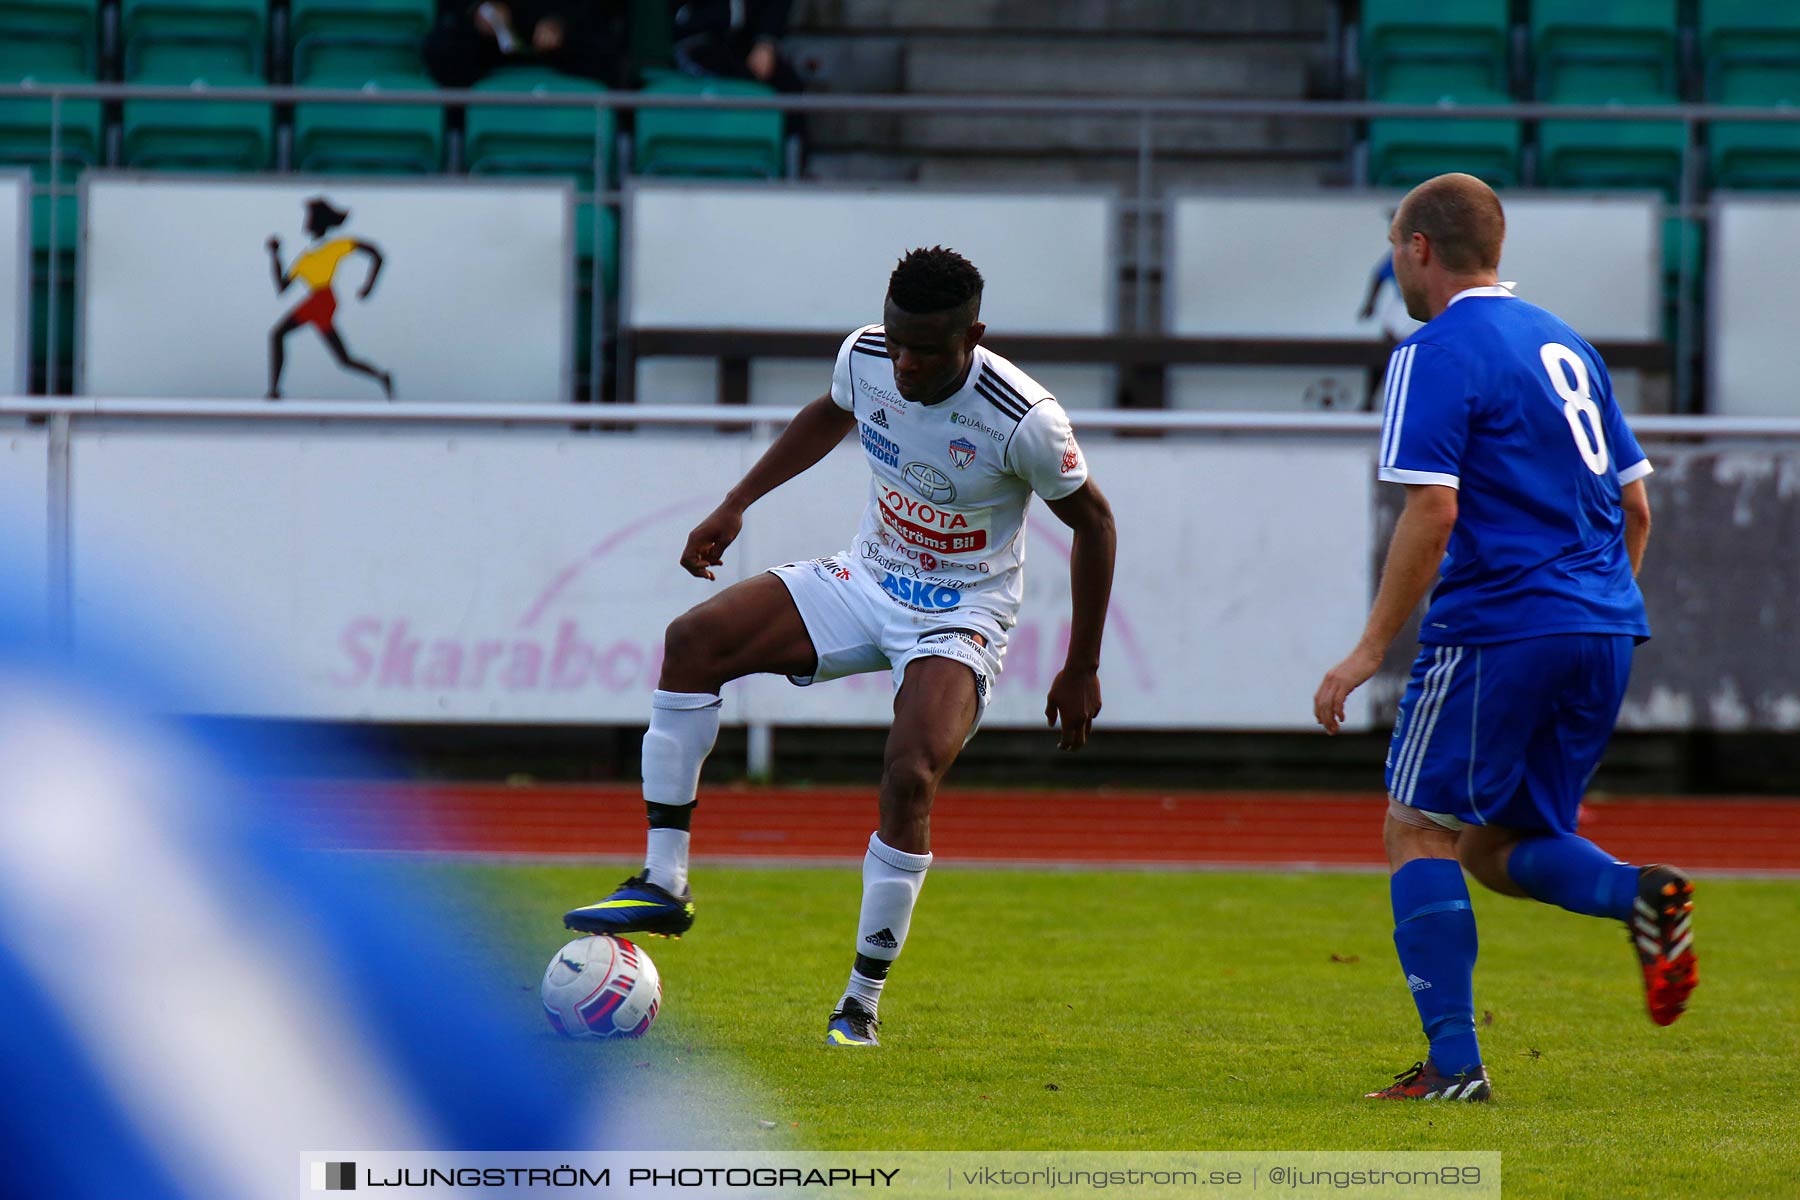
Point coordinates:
[[1414, 559]]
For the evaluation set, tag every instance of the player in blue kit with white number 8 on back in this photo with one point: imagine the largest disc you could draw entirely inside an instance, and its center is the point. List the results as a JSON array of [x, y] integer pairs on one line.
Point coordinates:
[[1525, 503]]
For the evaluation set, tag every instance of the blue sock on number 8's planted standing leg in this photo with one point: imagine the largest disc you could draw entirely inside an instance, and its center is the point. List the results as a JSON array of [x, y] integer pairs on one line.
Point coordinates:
[[1434, 929]]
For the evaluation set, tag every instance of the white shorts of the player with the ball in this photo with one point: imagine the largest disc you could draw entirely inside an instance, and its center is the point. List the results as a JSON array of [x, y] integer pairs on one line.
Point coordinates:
[[856, 627]]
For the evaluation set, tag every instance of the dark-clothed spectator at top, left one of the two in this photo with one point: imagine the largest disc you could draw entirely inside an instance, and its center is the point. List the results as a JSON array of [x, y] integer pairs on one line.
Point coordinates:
[[575, 37]]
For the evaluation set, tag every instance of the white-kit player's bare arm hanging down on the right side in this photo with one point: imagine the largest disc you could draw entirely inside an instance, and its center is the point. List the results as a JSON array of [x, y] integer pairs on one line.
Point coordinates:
[[1075, 692]]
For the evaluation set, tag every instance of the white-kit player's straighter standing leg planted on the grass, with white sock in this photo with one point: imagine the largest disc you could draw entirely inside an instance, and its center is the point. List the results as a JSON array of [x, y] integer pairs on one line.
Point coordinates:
[[937, 706]]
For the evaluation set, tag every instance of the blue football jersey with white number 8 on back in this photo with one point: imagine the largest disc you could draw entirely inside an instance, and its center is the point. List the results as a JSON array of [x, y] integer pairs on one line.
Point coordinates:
[[1504, 402]]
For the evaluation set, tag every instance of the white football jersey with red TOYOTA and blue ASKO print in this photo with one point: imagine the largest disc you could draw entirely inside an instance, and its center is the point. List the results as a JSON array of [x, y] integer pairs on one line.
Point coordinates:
[[951, 481]]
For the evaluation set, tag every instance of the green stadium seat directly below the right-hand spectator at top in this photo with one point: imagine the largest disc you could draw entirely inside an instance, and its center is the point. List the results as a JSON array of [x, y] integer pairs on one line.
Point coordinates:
[[742, 145]]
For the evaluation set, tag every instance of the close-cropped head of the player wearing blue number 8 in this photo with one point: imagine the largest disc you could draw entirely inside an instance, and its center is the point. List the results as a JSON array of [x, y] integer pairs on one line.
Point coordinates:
[[1446, 238]]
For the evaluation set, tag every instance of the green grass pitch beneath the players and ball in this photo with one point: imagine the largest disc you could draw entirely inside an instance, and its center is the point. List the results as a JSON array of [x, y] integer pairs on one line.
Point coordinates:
[[1039, 1010]]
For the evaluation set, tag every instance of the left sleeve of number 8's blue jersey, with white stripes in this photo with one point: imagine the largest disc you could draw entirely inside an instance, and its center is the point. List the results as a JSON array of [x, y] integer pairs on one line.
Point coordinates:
[[1426, 418]]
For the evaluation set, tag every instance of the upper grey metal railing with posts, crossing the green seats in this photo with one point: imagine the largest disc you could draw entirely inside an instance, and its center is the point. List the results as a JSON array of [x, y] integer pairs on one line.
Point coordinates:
[[1140, 206]]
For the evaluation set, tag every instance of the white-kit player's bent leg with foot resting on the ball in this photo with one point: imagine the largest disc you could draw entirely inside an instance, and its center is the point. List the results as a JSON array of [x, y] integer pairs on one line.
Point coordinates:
[[744, 631]]
